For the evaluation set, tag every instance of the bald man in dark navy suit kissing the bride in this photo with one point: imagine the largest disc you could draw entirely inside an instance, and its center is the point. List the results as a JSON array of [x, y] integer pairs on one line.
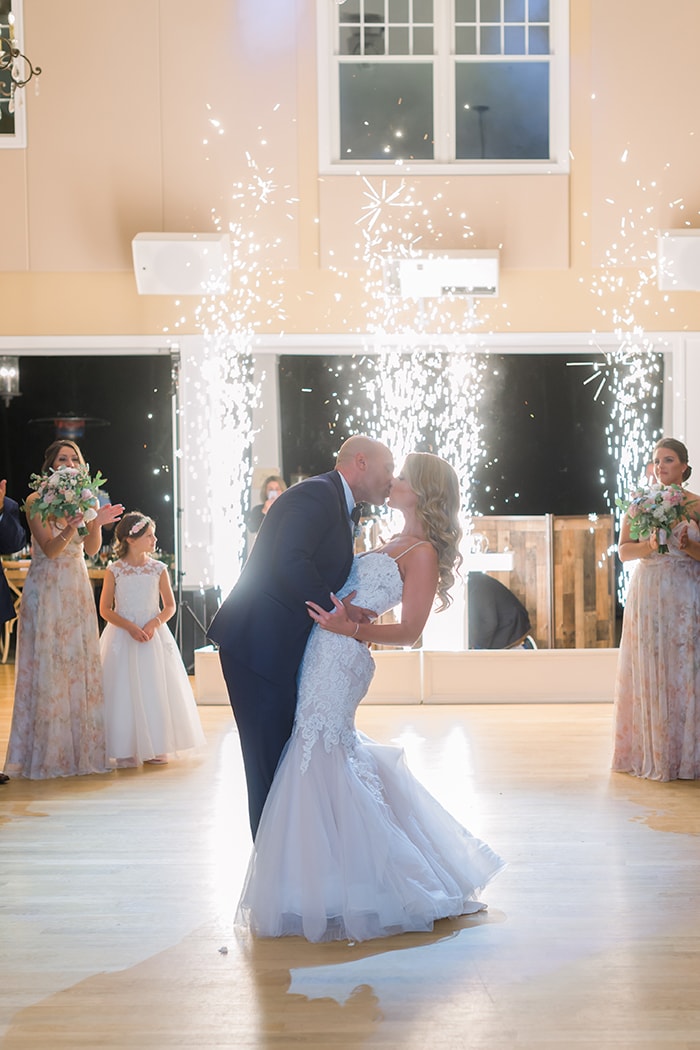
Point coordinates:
[[304, 552]]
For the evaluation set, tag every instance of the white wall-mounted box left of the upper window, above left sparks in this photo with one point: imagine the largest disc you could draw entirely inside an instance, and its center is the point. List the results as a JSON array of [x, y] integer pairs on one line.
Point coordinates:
[[182, 264]]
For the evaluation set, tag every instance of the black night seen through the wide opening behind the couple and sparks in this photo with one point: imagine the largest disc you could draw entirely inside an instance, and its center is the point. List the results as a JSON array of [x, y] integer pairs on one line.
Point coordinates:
[[544, 431]]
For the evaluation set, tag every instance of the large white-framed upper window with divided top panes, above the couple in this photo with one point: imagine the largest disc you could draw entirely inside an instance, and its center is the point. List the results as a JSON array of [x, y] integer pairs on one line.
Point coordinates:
[[435, 85]]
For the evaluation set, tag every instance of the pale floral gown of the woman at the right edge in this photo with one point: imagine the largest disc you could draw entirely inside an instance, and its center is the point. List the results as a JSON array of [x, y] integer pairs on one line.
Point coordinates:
[[657, 695]]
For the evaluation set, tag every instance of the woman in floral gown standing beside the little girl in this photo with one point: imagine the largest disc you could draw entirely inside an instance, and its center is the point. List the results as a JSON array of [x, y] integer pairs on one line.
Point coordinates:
[[58, 718]]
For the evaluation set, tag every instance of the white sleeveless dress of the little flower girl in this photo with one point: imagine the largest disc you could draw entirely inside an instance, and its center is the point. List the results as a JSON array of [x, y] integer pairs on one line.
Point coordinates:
[[150, 707]]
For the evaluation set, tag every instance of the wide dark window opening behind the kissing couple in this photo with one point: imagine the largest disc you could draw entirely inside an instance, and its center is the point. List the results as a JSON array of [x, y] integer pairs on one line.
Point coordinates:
[[527, 402]]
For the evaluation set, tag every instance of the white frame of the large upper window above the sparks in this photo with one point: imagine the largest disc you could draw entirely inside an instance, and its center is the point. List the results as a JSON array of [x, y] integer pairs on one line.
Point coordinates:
[[444, 117]]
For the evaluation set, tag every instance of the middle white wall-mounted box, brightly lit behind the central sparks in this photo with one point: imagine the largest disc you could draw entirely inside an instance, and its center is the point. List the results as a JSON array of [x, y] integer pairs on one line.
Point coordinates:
[[464, 274]]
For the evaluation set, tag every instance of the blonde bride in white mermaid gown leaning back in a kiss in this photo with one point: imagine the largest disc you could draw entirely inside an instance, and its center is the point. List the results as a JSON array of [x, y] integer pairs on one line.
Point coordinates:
[[351, 846]]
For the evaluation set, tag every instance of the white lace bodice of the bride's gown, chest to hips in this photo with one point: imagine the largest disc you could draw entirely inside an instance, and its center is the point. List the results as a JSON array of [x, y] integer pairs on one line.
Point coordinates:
[[336, 670]]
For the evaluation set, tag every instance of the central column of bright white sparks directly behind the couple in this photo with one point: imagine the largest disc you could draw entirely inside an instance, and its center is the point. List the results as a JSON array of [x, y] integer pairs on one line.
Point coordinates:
[[423, 392]]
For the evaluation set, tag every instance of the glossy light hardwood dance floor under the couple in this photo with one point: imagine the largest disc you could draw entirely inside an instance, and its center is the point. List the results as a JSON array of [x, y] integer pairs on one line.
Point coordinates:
[[118, 892]]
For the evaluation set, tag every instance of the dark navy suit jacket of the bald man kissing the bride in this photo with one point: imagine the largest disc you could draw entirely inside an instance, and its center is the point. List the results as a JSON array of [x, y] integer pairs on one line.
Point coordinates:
[[304, 552]]
